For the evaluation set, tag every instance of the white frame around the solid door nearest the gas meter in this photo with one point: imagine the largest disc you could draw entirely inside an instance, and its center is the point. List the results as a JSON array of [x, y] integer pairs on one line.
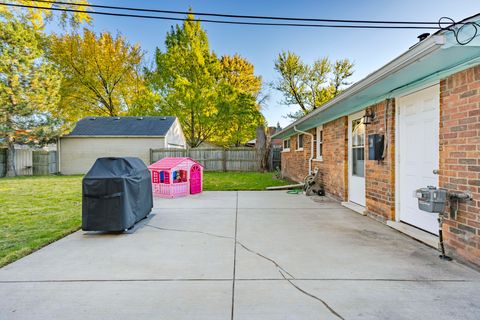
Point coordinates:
[[397, 142]]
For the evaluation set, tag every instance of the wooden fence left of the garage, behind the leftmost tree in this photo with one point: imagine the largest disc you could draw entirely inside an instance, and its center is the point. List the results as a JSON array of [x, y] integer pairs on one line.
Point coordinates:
[[30, 162]]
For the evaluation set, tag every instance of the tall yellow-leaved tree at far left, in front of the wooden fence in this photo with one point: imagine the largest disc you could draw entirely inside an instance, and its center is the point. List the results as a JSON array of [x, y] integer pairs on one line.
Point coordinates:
[[29, 82]]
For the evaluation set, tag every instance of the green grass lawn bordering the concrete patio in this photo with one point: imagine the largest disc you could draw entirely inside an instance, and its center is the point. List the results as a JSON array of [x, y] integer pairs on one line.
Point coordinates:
[[35, 211]]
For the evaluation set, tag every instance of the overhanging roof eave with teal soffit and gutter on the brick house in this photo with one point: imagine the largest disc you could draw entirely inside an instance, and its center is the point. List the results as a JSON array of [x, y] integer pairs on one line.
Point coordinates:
[[430, 60]]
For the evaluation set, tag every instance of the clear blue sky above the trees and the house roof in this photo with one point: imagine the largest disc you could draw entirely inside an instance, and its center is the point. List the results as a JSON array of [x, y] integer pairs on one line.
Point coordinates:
[[369, 49]]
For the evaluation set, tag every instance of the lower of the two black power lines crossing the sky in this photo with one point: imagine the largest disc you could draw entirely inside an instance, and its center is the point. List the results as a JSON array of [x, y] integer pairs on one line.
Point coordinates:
[[234, 22]]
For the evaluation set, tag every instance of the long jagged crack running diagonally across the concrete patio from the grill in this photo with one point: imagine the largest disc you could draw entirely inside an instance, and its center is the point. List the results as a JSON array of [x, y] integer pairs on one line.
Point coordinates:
[[280, 269]]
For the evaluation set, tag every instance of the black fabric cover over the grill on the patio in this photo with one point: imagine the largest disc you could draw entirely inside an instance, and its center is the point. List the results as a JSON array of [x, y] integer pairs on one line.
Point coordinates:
[[117, 193]]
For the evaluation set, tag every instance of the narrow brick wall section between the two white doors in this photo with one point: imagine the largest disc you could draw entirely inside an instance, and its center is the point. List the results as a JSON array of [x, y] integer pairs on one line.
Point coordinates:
[[380, 175]]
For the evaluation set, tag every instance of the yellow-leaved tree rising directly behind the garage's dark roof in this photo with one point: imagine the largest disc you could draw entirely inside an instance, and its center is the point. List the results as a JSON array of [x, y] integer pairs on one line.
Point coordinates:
[[101, 75]]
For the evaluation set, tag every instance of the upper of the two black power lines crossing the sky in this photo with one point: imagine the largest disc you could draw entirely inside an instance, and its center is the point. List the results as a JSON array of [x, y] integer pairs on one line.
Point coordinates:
[[223, 15]]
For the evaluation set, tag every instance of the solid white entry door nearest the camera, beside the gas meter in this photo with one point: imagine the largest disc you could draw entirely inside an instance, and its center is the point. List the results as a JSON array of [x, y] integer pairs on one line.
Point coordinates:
[[419, 115]]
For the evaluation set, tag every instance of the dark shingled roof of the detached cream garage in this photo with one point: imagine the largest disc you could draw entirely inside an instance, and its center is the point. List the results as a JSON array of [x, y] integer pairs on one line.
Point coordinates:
[[122, 126]]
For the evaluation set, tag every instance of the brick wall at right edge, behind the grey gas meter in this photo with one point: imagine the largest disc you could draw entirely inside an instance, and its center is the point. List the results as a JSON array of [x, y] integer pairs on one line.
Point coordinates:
[[460, 159]]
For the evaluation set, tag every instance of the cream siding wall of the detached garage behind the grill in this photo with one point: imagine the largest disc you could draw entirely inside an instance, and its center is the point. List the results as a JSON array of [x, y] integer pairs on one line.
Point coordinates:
[[77, 155]]
